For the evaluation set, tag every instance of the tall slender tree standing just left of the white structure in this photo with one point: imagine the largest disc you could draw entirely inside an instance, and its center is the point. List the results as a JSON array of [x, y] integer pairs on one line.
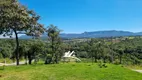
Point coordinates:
[[53, 36]]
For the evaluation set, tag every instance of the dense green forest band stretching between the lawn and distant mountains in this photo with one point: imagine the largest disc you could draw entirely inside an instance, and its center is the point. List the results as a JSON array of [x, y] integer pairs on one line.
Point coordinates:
[[122, 50]]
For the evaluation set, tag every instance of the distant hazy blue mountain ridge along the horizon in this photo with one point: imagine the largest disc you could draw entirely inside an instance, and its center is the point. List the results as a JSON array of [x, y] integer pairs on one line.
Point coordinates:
[[94, 34]]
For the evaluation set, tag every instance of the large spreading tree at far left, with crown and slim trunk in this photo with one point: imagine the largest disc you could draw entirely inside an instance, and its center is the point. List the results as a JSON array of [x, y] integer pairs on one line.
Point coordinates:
[[15, 18]]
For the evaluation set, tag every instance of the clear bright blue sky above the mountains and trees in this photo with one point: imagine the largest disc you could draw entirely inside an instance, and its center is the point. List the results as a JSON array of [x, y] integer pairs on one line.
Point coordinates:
[[76, 16]]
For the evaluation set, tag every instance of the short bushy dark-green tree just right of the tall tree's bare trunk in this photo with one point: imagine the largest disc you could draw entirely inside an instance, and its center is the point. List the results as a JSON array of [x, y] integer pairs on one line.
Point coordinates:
[[35, 49]]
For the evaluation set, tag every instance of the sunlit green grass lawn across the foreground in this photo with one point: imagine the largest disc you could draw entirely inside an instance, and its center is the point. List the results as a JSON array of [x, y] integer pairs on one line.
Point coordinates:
[[68, 71]]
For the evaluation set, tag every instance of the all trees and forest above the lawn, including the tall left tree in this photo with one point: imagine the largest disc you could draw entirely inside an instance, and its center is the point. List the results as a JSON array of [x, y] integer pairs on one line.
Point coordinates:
[[16, 18]]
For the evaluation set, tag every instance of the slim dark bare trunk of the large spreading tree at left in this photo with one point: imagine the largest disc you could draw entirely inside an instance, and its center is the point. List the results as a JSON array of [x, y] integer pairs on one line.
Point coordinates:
[[17, 47]]
